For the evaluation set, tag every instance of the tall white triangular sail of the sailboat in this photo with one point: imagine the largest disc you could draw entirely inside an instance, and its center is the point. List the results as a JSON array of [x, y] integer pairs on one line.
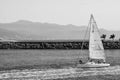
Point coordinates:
[[96, 50]]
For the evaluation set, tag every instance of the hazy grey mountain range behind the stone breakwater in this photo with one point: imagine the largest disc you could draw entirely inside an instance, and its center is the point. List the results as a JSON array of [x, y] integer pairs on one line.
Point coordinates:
[[44, 31]]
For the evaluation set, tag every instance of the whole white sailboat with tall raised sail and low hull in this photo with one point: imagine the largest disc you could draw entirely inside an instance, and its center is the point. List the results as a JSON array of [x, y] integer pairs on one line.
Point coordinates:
[[96, 51]]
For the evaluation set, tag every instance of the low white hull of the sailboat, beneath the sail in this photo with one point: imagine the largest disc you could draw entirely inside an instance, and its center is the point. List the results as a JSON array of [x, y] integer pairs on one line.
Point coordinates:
[[93, 65]]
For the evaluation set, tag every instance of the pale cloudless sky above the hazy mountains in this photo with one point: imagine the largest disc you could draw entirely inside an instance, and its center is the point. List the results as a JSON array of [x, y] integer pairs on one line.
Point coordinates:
[[76, 12]]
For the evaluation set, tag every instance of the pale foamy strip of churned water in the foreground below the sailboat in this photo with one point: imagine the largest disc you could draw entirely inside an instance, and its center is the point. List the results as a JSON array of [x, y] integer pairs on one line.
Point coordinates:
[[58, 73]]
